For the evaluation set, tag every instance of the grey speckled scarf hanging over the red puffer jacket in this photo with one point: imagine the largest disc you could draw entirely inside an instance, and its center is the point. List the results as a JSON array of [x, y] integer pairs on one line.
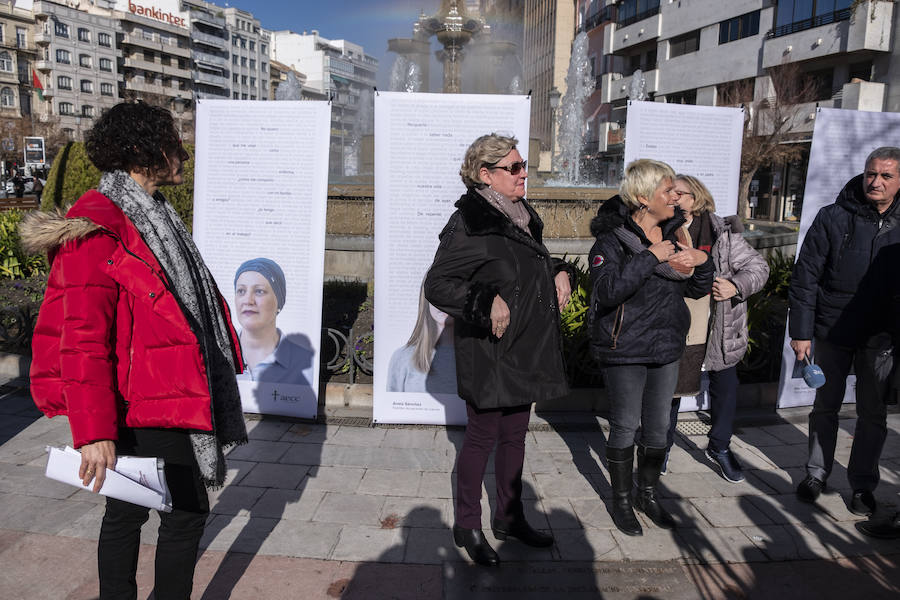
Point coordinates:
[[194, 288]]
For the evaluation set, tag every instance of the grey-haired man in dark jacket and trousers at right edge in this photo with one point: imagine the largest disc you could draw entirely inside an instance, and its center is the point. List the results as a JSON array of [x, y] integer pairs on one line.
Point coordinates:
[[831, 303]]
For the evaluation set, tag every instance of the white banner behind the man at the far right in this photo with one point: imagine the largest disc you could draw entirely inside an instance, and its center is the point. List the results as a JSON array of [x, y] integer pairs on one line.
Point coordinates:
[[842, 140]]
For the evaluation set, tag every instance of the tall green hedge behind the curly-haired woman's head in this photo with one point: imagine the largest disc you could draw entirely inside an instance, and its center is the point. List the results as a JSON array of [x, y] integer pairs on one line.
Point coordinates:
[[73, 174]]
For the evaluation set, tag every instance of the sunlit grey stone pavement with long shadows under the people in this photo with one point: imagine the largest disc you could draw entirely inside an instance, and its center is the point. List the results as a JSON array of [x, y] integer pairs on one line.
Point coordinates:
[[340, 511]]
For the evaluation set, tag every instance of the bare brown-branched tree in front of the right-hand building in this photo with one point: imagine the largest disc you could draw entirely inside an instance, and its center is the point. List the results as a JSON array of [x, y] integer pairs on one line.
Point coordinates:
[[771, 122]]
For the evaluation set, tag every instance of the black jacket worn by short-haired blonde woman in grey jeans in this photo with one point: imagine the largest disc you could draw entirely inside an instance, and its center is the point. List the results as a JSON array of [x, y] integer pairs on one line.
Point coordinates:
[[637, 316]]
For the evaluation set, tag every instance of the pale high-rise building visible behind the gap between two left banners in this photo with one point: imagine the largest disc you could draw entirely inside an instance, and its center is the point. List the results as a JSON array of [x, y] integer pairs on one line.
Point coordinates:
[[339, 69]]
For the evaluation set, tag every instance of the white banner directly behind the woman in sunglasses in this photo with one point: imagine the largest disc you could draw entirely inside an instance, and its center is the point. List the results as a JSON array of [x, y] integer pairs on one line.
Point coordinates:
[[420, 140]]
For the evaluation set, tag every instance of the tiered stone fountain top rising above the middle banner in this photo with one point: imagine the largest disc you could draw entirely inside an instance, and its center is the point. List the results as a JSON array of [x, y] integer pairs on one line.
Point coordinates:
[[456, 30]]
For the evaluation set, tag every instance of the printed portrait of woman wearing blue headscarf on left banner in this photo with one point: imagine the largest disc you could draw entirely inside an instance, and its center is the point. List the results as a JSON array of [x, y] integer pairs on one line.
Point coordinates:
[[269, 355]]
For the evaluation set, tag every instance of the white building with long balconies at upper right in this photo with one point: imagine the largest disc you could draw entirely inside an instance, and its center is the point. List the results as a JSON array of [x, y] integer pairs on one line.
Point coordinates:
[[703, 52]]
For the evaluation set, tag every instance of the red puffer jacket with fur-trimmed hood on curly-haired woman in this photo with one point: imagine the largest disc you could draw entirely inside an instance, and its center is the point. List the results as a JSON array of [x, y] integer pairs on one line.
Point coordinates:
[[111, 345]]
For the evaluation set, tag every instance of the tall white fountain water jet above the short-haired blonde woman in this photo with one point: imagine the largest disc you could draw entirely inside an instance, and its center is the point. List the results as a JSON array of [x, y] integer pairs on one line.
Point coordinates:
[[571, 123]]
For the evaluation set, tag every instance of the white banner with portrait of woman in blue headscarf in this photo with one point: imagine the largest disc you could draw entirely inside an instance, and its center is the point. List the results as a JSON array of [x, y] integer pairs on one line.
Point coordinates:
[[260, 192]]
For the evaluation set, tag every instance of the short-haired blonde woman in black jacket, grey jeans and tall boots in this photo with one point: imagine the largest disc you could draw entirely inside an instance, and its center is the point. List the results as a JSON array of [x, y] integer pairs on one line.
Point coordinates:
[[641, 271]]
